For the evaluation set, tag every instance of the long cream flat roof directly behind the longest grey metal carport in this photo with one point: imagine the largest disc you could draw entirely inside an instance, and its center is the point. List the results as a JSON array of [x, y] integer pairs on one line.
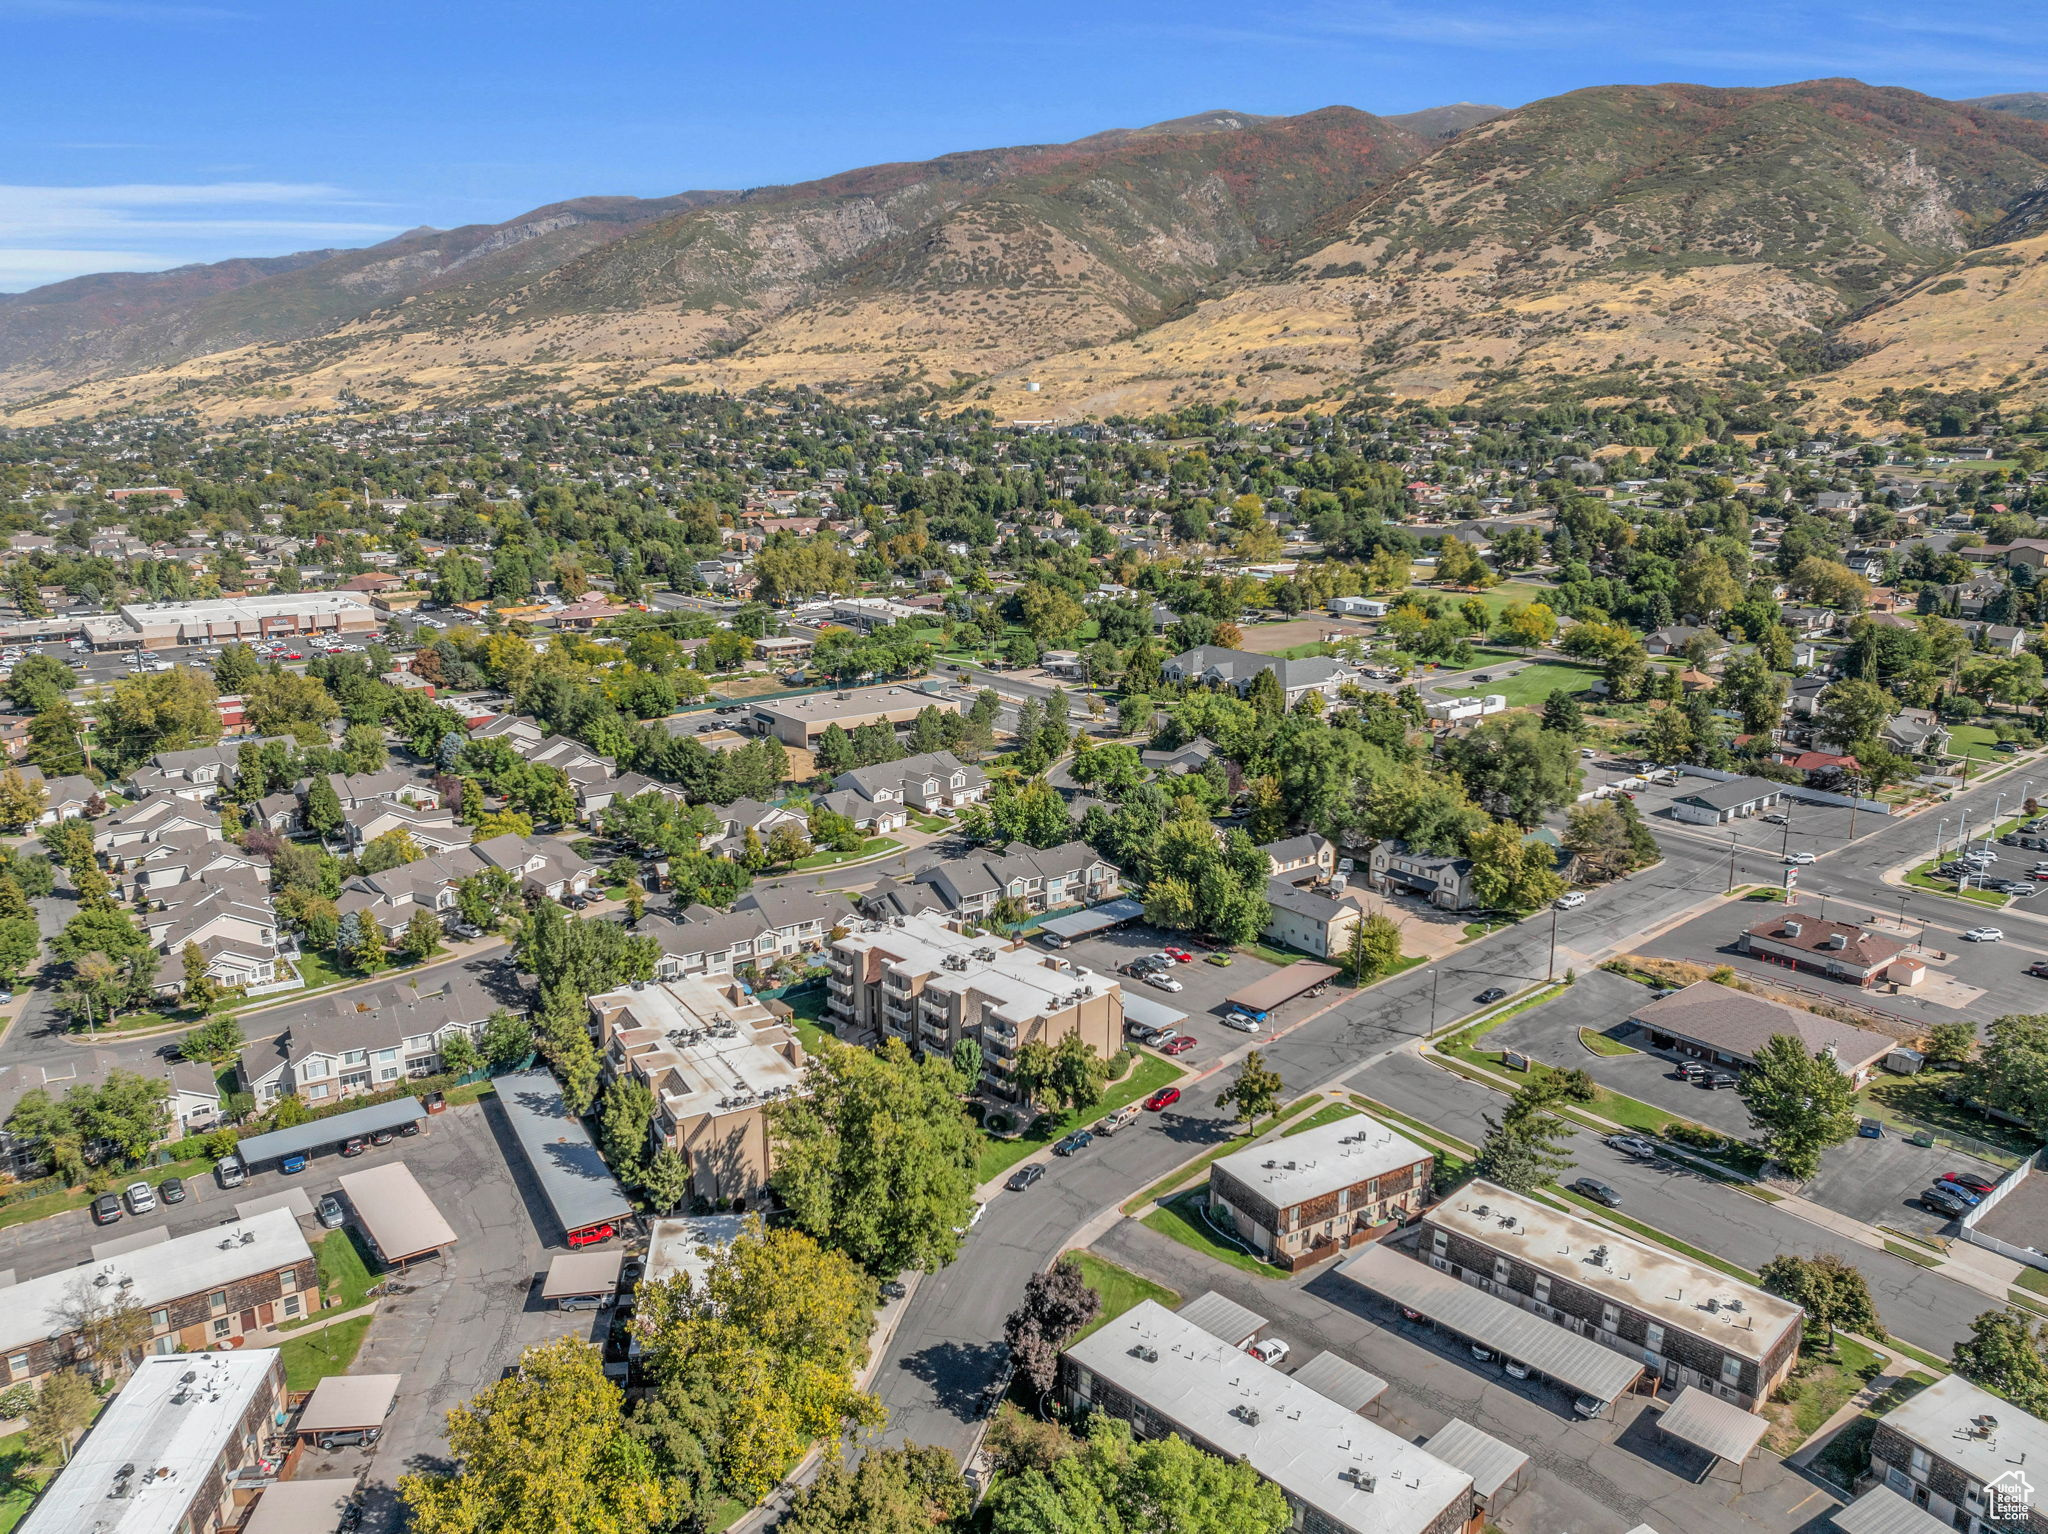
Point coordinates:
[[1662, 1285]]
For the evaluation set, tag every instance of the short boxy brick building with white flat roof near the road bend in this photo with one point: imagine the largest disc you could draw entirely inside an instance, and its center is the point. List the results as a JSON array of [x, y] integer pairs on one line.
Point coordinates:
[[1318, 1193]]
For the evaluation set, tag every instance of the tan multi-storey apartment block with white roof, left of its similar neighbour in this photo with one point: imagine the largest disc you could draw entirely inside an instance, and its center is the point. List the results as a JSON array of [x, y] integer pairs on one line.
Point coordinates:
[[714, 1058]]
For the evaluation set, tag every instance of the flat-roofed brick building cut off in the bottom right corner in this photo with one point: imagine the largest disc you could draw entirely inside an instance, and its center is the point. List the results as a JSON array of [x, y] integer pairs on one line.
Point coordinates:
[[1963, 1455]]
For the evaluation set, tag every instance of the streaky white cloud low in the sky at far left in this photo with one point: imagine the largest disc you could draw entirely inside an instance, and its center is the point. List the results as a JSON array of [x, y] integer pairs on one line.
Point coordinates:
[[56, 232]]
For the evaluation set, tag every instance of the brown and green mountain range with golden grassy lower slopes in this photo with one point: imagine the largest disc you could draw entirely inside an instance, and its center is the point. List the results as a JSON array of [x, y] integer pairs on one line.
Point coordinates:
[[1609, 243]]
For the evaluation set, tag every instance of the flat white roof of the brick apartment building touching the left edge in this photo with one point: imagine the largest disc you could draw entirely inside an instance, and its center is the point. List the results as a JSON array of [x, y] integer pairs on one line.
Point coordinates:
[[157, 1275]]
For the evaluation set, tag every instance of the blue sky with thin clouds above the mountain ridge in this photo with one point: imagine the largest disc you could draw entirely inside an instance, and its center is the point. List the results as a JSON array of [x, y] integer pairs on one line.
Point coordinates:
[[146, 134]]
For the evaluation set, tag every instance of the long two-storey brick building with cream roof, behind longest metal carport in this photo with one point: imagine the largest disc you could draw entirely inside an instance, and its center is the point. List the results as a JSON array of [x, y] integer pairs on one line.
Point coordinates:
[[1687, 1322]]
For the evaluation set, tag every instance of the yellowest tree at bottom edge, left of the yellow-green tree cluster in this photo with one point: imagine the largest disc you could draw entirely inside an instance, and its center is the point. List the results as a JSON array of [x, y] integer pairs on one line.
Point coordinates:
[[544, 1451]]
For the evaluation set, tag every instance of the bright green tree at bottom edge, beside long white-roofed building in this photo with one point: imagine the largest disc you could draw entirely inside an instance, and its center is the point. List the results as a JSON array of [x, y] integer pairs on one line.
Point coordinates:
[[1113, 1484]]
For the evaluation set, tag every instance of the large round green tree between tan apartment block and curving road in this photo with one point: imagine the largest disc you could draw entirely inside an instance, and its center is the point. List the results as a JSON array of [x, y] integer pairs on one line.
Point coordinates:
[[888, 1209]]
